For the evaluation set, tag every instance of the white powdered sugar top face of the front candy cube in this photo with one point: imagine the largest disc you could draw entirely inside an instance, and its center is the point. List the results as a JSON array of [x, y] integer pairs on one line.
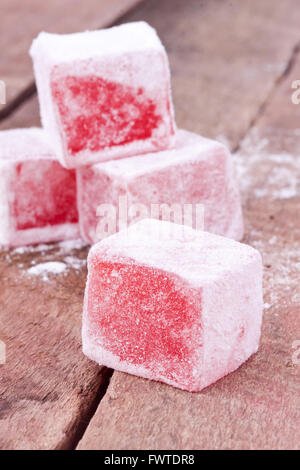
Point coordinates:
[[196, 256]]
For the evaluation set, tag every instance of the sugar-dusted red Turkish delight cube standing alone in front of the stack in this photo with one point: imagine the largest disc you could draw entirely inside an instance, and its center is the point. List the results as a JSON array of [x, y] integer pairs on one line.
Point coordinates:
[[169, 303]]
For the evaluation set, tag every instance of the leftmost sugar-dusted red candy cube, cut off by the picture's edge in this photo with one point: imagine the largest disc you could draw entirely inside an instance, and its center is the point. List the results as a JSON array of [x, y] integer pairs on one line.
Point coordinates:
[[38, 196]]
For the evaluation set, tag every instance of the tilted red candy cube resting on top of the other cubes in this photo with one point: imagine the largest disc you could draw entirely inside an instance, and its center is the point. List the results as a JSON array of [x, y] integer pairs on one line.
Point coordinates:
[[104, 94]]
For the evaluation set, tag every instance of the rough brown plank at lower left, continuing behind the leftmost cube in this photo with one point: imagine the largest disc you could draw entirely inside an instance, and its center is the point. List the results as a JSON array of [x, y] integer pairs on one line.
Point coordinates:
[[48, 390]]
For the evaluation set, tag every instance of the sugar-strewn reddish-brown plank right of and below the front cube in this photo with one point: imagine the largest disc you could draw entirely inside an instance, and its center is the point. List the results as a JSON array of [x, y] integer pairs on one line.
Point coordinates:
[[256, 407]]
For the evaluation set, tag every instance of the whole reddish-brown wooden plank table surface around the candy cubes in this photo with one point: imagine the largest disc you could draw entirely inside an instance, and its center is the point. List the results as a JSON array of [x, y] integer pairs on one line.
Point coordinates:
[[232, 67]]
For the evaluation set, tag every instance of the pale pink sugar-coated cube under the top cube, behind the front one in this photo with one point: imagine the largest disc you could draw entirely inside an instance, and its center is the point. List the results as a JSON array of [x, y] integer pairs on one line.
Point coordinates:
[[166, 185]]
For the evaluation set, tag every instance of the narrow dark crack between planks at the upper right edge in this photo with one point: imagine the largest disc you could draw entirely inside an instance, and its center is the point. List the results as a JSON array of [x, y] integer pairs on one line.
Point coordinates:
[[261, 109]]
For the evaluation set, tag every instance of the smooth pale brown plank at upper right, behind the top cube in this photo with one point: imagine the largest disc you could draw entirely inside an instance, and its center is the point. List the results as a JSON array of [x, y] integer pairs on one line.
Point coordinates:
[[225, 57]]
